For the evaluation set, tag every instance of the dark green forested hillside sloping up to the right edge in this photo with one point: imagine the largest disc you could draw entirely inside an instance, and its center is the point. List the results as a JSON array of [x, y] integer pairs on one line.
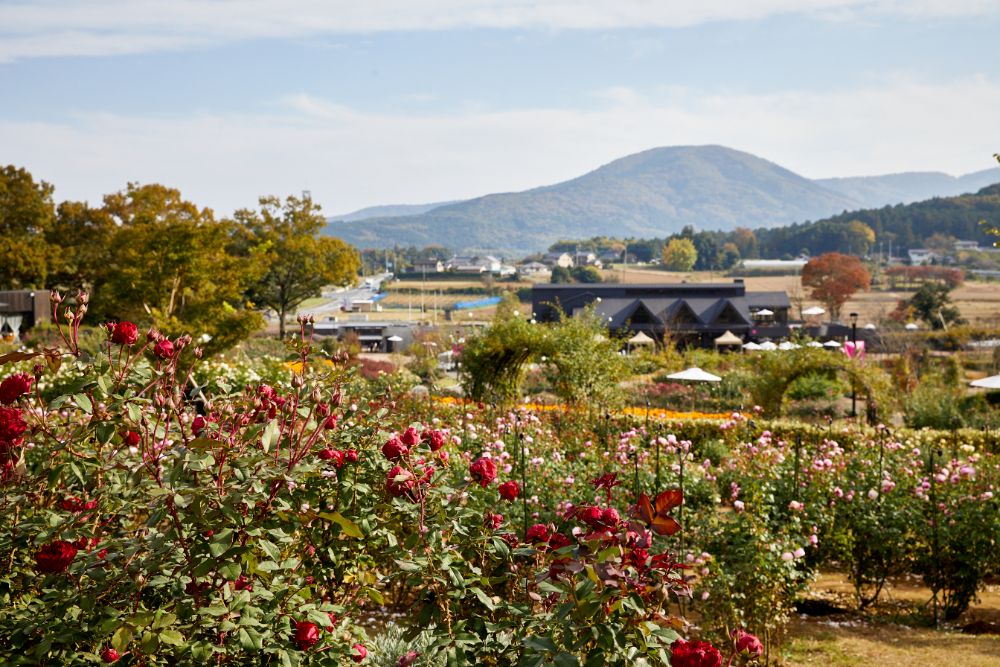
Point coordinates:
[[908, 225]]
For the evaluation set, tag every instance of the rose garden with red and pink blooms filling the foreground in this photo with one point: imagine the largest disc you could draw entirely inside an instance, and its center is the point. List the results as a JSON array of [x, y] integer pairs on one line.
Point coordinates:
[[303, 514]]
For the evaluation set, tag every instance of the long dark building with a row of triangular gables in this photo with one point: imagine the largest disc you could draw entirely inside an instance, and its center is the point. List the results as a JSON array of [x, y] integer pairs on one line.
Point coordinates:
[[695, 314]]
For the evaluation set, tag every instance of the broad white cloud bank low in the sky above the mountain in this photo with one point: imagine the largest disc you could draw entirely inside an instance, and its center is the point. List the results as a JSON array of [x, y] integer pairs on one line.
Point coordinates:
[[350, 159]]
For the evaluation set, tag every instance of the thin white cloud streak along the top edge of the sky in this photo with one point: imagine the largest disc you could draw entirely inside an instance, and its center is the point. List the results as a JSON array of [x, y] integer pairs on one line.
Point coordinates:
[[36, 28]]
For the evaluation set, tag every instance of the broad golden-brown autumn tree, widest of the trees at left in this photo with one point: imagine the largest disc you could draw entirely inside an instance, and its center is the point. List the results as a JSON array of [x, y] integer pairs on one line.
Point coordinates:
[[173, 265]]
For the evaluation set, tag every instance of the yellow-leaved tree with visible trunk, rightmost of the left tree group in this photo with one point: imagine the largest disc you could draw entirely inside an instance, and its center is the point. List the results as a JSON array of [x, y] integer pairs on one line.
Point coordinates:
[[299, 261]]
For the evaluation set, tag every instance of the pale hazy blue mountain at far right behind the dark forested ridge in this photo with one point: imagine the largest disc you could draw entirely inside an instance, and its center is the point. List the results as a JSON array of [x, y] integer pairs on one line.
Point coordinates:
[[905, 188]]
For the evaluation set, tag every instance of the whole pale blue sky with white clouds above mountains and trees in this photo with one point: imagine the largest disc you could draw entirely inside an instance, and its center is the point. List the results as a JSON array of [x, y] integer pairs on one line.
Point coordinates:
[[371, 102]]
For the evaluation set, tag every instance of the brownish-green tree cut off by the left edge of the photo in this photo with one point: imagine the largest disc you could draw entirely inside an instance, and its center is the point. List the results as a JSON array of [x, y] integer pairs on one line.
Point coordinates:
[[26, 213]]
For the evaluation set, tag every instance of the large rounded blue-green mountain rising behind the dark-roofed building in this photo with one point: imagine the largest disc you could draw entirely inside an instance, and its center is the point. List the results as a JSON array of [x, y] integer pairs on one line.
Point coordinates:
[[653, 193]]
